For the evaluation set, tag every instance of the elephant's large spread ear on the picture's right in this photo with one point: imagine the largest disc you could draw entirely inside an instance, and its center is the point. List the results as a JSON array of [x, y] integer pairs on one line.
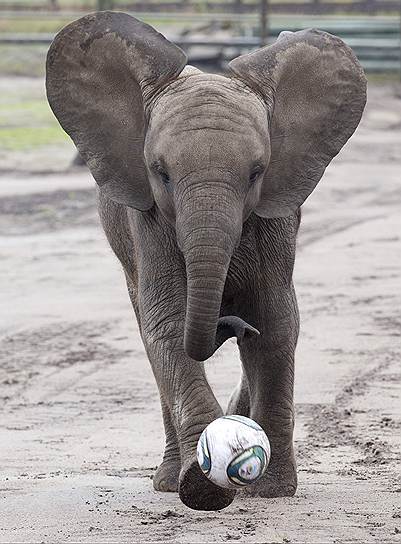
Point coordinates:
[[315, 91]]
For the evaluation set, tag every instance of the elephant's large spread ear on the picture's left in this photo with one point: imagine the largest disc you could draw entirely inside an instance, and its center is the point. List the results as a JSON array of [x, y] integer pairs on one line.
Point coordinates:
[[101, 70]]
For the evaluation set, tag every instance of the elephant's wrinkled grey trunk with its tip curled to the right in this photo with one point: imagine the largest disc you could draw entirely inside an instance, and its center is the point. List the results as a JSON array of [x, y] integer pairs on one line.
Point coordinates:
[[208, 230]]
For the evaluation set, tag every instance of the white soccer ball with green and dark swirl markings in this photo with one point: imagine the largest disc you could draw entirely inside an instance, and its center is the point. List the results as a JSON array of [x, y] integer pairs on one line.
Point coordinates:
[[233, 451]]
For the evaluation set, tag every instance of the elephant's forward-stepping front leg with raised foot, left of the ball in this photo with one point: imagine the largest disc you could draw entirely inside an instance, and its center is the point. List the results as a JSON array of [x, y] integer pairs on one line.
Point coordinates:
[[187, 400]]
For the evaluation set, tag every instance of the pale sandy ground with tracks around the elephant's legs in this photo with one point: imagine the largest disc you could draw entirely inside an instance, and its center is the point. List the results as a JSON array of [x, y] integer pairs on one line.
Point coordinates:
[[81, 431]]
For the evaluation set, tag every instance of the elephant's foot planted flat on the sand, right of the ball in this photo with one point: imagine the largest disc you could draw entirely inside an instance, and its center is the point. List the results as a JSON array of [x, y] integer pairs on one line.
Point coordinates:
[[277, 482]]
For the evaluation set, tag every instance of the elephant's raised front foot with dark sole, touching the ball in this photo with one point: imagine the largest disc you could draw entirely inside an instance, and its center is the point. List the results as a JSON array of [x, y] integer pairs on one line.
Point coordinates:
[[199, 493]]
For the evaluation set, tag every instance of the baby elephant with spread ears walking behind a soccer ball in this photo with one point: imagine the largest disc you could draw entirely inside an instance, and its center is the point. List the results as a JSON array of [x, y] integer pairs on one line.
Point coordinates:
[[201, 178]]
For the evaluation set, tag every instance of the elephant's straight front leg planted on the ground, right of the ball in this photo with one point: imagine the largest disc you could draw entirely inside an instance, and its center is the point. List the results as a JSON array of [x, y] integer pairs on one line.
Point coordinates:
[[269, 365]]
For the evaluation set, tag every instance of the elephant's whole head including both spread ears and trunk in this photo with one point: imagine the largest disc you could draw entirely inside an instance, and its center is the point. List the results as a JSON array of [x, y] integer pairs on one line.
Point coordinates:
[[207, 150]]
